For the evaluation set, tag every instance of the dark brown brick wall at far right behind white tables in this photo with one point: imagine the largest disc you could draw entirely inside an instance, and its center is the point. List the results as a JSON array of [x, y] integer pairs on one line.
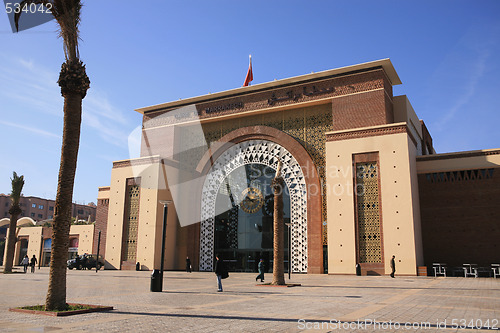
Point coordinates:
[[460, 219]]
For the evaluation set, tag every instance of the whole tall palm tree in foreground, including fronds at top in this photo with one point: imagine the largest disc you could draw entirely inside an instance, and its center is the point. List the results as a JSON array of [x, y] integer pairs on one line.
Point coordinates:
[[74, 84]]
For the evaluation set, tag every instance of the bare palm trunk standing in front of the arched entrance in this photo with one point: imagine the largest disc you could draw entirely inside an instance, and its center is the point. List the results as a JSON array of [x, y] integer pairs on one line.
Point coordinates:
[[278, 257]]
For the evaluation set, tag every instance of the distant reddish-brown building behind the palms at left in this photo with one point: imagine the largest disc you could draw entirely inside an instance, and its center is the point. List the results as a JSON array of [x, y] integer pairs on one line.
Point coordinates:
[[40, 209]]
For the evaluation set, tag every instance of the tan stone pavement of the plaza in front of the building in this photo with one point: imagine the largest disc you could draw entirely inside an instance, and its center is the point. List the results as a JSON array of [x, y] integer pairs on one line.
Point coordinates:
[[191, 303]]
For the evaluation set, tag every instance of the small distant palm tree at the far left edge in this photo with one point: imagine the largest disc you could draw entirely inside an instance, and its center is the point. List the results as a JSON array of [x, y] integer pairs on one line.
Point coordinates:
[[14, 211]]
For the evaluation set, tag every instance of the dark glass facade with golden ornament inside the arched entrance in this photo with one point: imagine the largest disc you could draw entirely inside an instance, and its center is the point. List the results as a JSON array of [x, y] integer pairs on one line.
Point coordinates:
[[244, 231]]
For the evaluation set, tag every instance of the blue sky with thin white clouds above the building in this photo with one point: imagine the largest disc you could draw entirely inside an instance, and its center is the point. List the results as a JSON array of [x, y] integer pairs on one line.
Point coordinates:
[[447, 54]]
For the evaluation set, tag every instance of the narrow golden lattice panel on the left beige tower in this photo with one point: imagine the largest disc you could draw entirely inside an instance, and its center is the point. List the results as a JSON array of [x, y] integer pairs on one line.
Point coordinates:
[[129, 252]]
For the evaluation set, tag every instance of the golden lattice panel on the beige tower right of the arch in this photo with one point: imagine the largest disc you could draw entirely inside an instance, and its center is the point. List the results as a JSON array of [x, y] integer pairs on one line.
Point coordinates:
[[369, 240]]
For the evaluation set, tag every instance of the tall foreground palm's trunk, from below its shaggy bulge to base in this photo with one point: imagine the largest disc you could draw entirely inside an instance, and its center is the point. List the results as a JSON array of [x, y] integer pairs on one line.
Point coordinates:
[[56, 294]]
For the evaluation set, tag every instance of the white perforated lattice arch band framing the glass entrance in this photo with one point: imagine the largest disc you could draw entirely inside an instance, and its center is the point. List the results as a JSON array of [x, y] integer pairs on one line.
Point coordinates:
[[256, 152]]
